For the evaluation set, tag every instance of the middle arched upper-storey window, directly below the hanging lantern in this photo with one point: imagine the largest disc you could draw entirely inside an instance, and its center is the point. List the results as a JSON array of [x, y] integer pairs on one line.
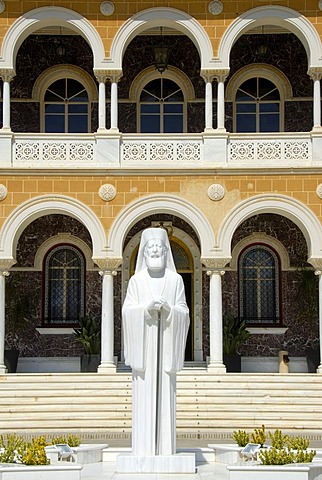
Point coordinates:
[[161, 107]]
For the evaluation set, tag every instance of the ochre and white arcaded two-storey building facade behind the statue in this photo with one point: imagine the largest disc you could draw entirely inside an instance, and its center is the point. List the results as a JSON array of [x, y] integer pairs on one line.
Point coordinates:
[[221, 146]]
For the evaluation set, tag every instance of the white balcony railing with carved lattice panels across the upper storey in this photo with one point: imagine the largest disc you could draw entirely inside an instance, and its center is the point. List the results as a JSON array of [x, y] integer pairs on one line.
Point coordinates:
[[181, 151]]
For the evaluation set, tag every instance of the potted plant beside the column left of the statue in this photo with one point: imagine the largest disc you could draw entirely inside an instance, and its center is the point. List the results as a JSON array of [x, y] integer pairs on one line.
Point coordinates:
[[89, 335]]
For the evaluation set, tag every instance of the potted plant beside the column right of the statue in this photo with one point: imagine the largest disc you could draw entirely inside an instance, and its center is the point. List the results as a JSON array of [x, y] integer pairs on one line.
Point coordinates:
[[234, 334]]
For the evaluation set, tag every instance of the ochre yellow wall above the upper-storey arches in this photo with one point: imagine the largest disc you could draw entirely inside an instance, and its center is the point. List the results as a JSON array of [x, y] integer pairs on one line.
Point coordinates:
[[124, 9]]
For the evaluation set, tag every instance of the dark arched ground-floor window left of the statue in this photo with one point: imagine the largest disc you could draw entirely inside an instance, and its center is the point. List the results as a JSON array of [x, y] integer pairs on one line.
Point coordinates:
[[64, 276]]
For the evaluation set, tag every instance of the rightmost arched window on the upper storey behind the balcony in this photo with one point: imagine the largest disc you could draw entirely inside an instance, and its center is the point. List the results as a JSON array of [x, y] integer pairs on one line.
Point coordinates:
[[257, 106]]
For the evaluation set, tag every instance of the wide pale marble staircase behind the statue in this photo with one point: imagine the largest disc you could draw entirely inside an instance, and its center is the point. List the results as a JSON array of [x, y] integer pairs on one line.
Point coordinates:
[[209, 406]]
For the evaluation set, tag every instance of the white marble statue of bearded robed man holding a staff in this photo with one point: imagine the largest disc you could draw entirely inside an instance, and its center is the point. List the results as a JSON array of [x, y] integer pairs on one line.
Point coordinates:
[[155, 325]]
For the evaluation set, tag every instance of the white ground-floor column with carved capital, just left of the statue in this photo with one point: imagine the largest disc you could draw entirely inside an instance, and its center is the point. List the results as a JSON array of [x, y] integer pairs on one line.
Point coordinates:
[[108, 271]]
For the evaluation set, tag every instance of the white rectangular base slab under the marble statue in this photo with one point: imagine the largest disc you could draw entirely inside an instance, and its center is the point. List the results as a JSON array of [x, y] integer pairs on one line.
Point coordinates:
[[178, 463]]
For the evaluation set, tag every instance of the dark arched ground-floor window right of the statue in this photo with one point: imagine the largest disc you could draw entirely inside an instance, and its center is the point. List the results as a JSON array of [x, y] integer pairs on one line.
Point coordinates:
[[259, 293]]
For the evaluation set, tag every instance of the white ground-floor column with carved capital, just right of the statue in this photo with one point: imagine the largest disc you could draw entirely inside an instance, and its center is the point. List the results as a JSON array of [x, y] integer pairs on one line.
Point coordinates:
[[215, 272]]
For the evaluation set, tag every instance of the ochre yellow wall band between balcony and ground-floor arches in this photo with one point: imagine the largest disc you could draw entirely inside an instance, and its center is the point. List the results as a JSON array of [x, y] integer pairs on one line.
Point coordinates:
[[191, 188]]
